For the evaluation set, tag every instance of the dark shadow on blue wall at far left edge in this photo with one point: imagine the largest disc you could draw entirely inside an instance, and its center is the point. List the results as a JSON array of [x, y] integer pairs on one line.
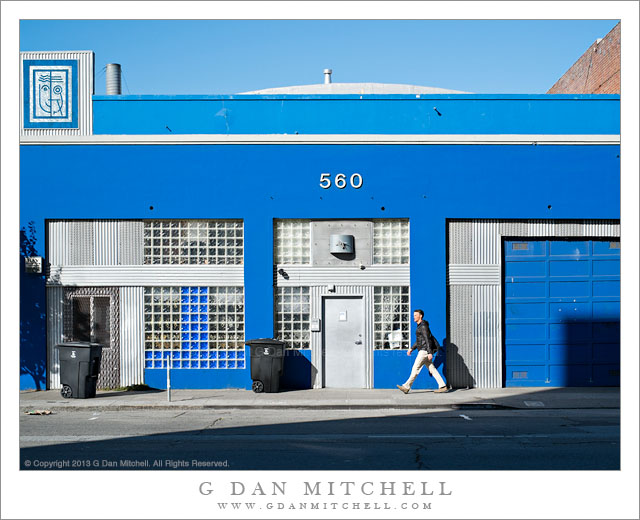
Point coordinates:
[[33, 351]]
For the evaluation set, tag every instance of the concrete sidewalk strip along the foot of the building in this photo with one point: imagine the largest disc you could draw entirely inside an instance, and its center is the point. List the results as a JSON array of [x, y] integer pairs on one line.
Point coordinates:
[[326, 398]]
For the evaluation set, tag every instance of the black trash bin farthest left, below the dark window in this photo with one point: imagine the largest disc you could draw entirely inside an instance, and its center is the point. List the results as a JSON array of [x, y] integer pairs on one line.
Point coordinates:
[[79, 368]]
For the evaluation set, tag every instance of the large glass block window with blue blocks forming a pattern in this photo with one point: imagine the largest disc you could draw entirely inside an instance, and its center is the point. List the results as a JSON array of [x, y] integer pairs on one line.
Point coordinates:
[[195, 327]]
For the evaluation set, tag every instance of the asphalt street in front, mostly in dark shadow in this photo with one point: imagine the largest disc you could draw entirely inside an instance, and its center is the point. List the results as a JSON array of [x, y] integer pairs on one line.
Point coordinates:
[[322, 440]]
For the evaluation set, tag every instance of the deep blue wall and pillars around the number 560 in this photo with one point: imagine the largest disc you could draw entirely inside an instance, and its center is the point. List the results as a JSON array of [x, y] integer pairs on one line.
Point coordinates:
[[426, 183]]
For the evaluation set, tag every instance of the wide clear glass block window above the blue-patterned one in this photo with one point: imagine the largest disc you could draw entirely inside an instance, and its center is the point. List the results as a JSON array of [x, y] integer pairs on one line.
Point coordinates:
[[213, 242]]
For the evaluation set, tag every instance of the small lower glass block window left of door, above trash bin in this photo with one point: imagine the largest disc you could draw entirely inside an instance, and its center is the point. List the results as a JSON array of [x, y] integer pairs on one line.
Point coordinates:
[[293, 311]]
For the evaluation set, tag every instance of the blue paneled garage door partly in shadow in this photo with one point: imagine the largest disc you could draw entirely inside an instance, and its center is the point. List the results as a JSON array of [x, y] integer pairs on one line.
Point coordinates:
[[562, 313]]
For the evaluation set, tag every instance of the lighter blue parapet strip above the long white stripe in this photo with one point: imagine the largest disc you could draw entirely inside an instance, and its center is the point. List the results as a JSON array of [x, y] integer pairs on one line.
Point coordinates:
[[367, 114]]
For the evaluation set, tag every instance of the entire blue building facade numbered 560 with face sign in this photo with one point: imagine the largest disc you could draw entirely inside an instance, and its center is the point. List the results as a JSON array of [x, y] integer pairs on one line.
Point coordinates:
[[175, 228]]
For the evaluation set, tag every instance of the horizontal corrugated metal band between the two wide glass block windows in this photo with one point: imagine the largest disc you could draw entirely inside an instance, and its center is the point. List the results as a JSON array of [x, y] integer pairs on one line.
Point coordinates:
[[152, 275]]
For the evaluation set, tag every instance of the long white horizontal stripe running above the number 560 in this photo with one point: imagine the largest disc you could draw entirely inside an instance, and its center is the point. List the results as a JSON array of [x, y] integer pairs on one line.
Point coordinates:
[[528, 139]]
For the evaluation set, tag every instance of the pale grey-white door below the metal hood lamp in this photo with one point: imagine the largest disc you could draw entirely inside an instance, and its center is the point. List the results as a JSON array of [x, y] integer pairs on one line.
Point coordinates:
[[343, 342]]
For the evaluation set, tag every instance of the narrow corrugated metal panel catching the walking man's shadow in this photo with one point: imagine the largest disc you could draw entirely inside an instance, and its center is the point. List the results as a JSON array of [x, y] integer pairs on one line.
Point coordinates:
[[460, 354]]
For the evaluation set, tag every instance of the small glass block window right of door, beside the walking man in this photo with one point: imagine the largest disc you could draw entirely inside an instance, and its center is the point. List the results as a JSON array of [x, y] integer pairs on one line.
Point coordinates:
[[391, 317]]
